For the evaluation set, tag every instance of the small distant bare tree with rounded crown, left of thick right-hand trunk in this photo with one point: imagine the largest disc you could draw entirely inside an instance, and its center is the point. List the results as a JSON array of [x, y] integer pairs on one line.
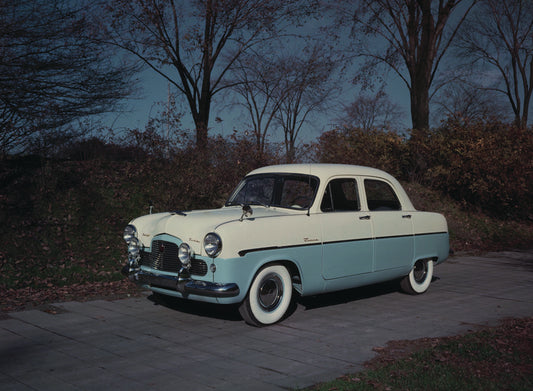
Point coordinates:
[[373, 111]]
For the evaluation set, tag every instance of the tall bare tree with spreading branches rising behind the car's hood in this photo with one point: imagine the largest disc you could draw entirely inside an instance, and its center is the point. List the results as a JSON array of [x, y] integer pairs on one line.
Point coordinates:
[[193, 44]]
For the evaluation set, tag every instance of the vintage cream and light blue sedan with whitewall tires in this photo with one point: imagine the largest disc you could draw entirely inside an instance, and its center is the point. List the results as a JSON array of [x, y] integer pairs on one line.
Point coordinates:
[[286, 229]]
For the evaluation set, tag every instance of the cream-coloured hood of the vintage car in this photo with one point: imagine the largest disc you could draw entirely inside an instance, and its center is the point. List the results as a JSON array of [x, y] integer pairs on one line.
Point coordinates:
[[192, 226]]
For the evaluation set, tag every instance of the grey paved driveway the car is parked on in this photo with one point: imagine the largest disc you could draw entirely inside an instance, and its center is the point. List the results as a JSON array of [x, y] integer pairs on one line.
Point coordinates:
[[138, 344]]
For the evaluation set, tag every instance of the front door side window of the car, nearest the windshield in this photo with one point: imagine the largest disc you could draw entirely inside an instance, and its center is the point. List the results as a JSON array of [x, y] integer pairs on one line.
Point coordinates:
[[340, 195]]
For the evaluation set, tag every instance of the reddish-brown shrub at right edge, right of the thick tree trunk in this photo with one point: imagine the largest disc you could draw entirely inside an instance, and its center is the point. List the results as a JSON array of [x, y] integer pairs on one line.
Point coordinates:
[[489, 165]]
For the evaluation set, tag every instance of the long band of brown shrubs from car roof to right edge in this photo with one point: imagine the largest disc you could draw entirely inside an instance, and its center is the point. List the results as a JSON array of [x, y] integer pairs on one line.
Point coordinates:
[[488, 165]]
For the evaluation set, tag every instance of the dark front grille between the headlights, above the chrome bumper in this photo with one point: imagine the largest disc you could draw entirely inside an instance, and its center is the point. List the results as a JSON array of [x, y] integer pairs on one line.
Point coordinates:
[[164, 257]]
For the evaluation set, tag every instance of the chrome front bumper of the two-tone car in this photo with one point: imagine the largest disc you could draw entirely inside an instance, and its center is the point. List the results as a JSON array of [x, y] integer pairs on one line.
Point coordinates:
[[182, 283]]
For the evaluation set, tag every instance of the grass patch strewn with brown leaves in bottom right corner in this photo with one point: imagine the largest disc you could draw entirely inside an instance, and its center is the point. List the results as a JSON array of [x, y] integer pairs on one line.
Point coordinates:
[[501, 354]]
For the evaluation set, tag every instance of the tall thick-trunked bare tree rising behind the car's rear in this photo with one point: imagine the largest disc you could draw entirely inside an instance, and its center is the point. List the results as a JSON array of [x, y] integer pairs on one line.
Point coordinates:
[[410, 37]]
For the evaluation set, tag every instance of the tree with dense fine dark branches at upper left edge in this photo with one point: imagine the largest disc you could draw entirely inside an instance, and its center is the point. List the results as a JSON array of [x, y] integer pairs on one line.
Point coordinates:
[[51, 72]]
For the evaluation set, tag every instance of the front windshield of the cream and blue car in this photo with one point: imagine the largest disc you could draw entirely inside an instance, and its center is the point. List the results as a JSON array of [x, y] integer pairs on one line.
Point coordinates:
[[282, 190]]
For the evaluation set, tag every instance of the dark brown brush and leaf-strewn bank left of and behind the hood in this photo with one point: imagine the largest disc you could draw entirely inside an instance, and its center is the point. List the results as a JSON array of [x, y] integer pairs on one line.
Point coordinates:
[[63, 219]]
